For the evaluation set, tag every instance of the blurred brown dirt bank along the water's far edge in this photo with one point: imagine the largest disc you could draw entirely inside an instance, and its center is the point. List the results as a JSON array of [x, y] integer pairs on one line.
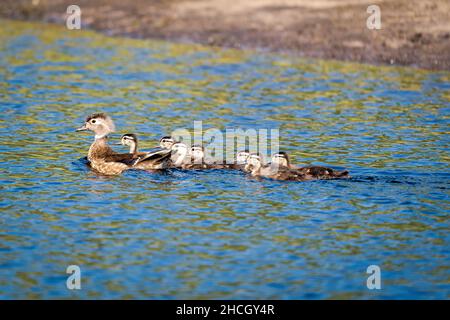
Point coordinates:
[[413, 32]]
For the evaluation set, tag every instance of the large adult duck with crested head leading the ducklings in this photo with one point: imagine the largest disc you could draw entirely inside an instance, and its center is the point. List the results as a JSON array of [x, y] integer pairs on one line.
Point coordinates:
[[100, 155]]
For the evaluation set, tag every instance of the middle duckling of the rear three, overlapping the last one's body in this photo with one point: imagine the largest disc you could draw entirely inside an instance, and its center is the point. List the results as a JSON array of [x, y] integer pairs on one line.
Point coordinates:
[[257, 168]]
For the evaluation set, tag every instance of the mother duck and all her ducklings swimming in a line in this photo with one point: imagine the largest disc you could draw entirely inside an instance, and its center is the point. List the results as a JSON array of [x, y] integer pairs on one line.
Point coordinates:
[[173, 154]]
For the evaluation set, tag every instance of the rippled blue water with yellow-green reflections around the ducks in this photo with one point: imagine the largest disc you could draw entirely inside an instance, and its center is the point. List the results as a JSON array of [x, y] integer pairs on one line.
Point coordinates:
[[218, 234]]
